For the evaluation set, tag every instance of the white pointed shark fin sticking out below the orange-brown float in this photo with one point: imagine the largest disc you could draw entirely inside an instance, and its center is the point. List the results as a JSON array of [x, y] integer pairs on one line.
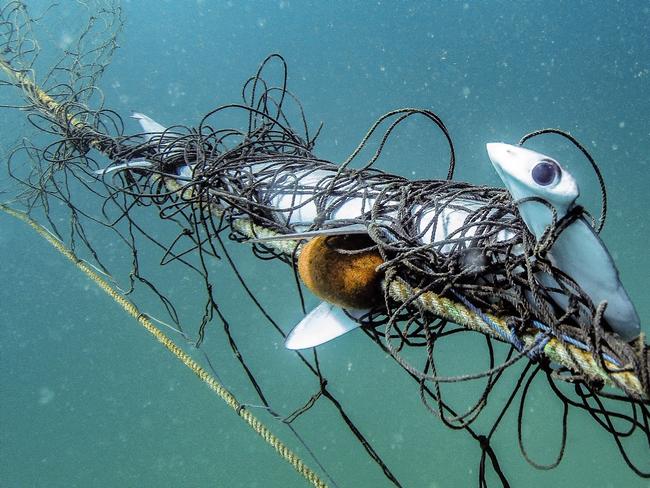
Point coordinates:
[[324, 323]]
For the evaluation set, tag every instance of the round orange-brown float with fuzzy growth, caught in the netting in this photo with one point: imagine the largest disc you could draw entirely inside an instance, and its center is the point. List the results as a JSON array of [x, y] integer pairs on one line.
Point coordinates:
[[331, 272]]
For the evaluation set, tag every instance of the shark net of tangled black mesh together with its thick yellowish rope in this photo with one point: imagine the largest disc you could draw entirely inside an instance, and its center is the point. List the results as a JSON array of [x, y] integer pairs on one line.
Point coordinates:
[[251, 185]]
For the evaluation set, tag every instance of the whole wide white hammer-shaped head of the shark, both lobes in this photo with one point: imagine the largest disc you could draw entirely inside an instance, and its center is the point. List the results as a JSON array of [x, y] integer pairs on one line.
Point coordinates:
[[578, 251]]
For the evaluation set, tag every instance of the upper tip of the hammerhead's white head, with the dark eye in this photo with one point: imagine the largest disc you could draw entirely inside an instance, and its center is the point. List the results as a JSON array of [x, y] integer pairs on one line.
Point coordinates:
[[527, 174]]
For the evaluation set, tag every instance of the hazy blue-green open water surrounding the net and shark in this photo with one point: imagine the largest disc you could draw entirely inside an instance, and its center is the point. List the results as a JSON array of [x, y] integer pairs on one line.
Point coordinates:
[[88, 399]]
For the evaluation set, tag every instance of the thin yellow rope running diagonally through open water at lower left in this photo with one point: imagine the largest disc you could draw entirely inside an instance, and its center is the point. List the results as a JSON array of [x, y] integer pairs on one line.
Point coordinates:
[[285, 452]]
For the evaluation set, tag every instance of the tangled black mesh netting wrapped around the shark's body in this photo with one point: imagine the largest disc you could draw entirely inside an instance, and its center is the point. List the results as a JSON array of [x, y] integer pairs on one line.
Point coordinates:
[[209, 180]]
